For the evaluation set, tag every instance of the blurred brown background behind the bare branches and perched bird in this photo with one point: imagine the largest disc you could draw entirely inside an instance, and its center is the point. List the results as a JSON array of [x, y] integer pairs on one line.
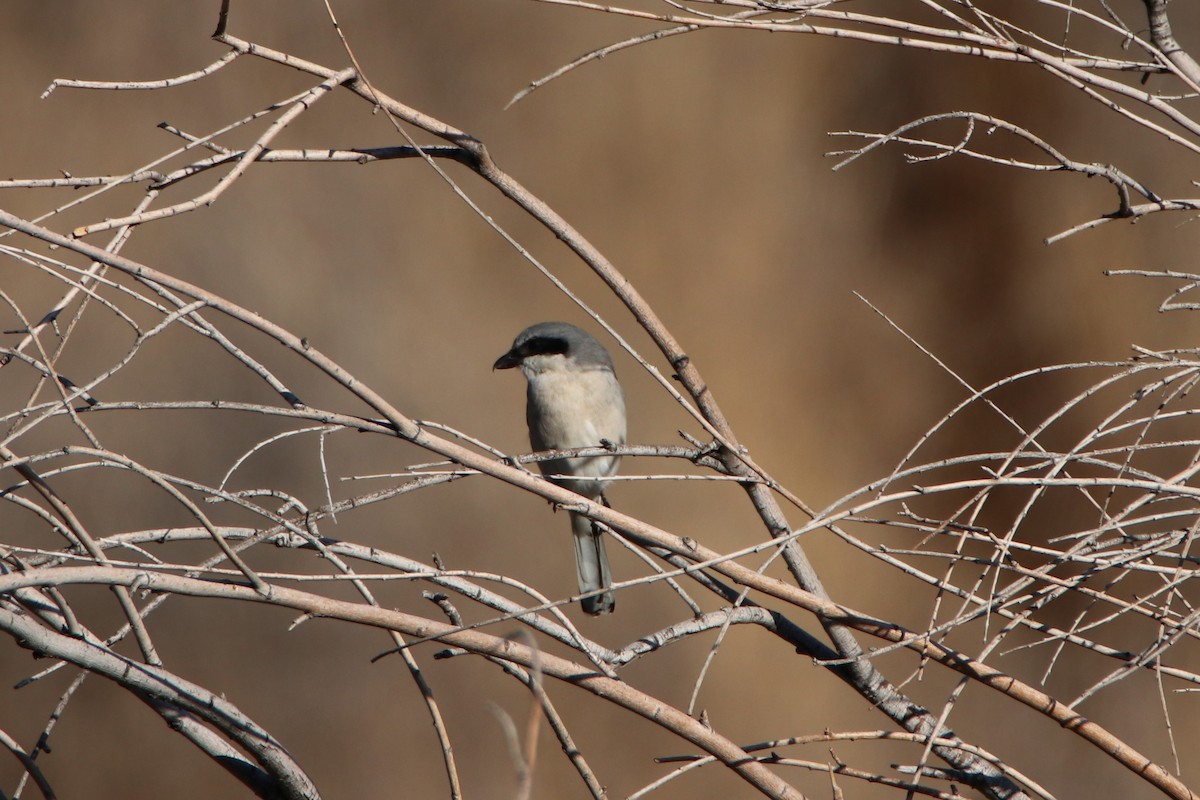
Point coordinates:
[[697, 166]]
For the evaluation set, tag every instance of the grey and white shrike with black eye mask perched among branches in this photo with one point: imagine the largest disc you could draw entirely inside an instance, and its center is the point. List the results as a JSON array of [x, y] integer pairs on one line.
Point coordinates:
[[574, 401]]
